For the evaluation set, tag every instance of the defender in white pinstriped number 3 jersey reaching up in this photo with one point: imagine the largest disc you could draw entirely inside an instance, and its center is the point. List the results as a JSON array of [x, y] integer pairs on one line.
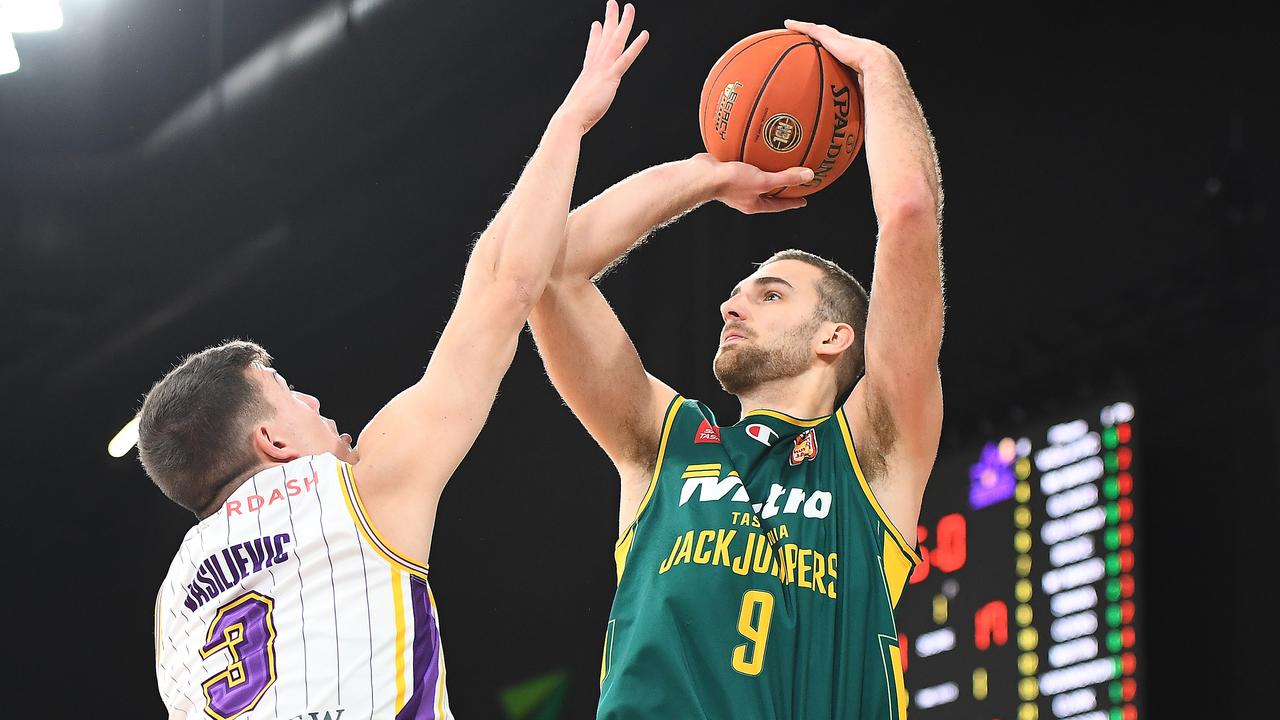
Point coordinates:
[[303, 593]]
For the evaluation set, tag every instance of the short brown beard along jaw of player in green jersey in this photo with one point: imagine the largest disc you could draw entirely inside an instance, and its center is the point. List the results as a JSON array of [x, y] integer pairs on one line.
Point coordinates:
[[751, 363]]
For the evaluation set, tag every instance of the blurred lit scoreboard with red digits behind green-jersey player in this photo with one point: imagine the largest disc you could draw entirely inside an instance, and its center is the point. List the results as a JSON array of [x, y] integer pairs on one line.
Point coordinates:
[[1026, 605]]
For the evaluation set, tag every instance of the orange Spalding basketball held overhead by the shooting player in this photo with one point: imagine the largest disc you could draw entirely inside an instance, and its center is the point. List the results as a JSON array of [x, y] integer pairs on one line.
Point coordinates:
[[780, 101]]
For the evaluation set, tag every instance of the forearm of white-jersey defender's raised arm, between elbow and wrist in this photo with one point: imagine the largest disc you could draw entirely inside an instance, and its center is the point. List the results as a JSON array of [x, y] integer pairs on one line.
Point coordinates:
[[523, 241]]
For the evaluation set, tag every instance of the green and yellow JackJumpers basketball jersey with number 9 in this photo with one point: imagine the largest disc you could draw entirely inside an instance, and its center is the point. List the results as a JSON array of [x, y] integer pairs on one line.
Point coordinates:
[[758, 580]]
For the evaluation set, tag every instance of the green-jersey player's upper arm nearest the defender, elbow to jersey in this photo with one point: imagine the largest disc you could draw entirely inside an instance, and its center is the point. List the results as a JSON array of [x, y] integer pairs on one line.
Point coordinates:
[[596, 368]]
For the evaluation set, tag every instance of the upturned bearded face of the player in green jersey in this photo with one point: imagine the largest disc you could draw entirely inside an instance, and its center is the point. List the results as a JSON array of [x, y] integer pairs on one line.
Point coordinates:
[[769, 326]]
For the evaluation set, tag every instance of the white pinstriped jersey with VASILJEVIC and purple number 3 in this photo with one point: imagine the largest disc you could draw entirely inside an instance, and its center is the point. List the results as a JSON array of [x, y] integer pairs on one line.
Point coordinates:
[[287, 604]]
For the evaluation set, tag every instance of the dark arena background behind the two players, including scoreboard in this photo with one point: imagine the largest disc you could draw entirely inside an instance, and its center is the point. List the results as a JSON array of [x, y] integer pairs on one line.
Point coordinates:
[[1099, 528]]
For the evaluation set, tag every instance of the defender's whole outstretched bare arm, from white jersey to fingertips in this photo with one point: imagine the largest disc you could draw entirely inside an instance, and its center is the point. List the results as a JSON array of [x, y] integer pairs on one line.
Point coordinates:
[[413, 446]]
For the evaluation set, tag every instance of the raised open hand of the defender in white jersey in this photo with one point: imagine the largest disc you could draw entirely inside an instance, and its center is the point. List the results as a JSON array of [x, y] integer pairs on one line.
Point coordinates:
[[607, 60]]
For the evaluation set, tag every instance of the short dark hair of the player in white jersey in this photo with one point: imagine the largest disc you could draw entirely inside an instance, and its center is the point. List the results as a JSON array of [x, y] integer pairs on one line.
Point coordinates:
[[194, 423]]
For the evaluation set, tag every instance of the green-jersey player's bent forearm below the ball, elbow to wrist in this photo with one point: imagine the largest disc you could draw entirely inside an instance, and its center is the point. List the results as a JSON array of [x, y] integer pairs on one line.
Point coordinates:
[[606, 229]]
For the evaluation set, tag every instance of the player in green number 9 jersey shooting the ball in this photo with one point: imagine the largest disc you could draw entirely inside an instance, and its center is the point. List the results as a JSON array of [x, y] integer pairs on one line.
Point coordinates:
[[760, 563]]
